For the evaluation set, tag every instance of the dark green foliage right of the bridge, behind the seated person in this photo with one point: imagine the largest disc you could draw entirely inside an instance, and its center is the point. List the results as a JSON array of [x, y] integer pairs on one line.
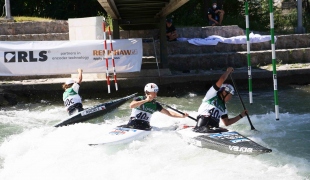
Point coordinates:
[[194, 13]]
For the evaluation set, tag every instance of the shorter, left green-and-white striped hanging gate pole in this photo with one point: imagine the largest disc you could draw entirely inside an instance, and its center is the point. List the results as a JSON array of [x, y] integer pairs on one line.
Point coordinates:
[[248, 50]]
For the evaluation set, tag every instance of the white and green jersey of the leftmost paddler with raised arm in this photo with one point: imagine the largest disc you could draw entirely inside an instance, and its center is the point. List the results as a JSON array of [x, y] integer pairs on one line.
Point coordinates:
[[71, 96]]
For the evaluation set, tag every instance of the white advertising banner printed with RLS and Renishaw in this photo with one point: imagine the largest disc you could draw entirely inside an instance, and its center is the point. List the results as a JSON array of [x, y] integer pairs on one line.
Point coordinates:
[[21, 58]]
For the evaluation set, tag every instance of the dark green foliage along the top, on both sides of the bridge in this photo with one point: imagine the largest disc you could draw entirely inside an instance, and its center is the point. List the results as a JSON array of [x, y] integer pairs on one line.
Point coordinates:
[[193, 13]]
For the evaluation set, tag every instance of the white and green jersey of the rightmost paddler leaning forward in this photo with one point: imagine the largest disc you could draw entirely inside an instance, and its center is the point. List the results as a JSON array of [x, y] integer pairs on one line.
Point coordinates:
[[212, 105]]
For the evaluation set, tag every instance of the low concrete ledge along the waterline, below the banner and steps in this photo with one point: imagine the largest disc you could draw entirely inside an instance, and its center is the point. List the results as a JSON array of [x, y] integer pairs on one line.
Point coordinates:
[[263, 78]]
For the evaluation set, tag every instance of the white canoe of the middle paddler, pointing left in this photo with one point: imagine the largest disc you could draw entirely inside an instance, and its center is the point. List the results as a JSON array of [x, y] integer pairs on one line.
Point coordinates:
[[121, 135]]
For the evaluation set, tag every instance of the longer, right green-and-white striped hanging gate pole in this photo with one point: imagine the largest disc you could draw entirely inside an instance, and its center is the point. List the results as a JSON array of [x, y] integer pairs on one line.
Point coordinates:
[[274, 67]]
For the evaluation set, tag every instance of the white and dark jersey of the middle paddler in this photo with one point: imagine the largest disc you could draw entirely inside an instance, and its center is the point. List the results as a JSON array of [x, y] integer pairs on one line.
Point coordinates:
[[145, 111]]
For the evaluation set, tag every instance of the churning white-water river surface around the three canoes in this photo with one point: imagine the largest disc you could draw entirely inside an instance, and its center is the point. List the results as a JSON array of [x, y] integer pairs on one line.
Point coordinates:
[[31, 148]]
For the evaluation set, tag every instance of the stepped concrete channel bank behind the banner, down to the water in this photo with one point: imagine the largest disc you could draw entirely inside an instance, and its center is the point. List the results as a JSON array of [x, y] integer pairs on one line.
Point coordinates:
[[182, 56]]
